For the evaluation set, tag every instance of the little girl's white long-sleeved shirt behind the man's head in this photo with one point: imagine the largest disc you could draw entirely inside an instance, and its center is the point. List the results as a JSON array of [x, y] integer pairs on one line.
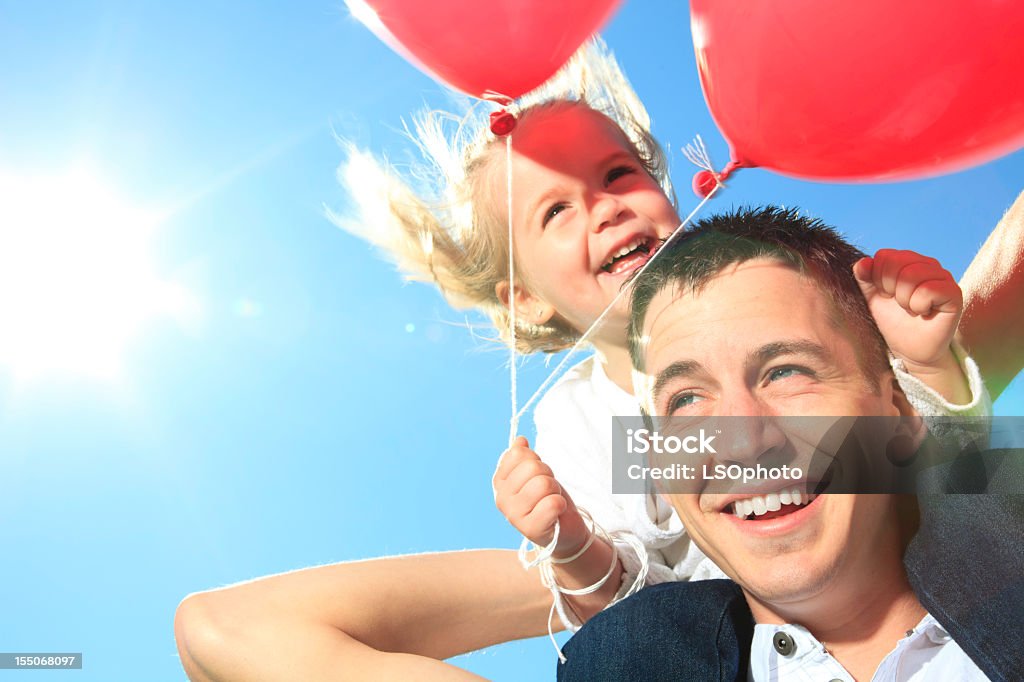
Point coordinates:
[[574, 423]]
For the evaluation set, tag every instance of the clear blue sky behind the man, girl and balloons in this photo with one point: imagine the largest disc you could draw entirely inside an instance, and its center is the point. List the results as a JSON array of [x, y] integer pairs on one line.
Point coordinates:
[[265, 394]]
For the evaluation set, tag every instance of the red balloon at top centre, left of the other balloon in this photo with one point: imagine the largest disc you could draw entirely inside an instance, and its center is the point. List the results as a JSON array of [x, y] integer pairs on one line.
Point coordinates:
[[495, 47]]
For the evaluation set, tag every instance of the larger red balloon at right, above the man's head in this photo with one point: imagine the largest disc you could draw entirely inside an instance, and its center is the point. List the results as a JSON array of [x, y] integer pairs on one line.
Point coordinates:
[[864, 90]]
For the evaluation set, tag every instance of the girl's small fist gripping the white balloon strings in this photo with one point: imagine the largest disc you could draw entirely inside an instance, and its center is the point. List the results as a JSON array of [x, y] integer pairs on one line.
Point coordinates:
[[529, 496]]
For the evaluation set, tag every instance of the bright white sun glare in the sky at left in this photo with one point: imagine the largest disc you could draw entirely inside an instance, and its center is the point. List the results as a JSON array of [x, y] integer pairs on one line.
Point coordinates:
[[76, 278]]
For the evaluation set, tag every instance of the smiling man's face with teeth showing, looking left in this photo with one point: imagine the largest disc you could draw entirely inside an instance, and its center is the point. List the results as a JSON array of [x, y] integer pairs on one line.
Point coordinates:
[[760, 340]]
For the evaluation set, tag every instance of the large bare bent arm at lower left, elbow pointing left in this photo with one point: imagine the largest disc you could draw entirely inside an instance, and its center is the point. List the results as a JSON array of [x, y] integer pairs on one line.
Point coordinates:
[[378, 620]]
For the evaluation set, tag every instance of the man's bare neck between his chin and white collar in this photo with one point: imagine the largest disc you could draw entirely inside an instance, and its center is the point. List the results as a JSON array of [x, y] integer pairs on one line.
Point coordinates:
[[859, 627]]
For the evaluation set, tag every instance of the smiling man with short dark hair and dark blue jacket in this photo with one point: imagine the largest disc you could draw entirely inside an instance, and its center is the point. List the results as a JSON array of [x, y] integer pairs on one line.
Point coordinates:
[[759, 315]]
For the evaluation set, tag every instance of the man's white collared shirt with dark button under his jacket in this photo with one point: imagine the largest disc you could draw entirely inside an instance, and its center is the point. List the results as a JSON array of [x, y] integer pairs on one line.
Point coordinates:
[[790, 653]]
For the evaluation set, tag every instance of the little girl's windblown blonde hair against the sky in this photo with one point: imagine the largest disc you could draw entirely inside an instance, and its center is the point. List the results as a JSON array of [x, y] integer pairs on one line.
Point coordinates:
[[452, 233]]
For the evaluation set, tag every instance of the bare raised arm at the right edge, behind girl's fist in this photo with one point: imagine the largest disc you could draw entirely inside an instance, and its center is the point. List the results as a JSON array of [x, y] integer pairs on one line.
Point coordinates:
[[993, 327]]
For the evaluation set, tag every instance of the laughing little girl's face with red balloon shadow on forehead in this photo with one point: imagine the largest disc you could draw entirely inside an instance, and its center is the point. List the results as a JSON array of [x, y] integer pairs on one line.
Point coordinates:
[[585, 214]]
